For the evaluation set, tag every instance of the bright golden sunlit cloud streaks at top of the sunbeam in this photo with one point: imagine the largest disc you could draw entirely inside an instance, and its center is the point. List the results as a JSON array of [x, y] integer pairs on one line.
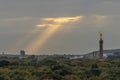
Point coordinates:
[[58, 21]]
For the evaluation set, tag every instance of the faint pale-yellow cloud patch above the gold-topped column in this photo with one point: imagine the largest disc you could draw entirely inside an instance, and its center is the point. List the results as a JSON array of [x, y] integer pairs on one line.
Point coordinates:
[[95, 21]]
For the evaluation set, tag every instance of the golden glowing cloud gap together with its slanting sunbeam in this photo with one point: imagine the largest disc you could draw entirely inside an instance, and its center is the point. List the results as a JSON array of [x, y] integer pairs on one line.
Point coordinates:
[[52, 26]]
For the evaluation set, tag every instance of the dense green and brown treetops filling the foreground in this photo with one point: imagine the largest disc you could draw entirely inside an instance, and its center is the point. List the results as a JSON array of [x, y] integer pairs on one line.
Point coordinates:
[[55, 68]]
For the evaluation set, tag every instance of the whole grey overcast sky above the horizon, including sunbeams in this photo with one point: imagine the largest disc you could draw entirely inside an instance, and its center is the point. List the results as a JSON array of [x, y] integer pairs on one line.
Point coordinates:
[[58, 26]]
